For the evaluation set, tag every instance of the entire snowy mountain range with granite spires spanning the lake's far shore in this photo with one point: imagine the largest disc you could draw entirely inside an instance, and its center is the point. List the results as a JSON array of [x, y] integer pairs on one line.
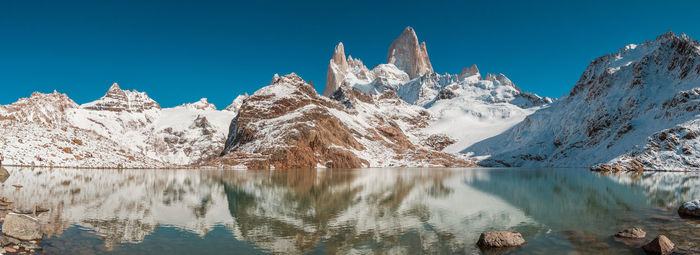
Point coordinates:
[[636, 109]]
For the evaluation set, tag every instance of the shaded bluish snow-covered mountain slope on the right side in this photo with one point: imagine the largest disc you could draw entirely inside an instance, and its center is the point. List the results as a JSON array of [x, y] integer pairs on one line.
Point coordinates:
[[636, 109]]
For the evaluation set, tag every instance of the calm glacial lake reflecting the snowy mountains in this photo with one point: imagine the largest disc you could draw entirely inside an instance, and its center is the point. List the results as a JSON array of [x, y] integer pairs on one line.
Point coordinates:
[[357, 211]]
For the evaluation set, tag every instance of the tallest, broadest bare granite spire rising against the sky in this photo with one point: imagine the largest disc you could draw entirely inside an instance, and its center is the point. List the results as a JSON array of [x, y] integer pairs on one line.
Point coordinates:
[[409, 56]]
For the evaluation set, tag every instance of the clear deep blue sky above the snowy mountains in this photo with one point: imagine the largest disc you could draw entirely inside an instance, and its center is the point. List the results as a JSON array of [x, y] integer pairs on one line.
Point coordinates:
[[180, 51]]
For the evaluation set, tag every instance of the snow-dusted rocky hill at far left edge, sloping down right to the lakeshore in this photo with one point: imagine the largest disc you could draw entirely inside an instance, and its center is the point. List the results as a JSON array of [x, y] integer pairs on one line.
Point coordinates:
[[39, 131]]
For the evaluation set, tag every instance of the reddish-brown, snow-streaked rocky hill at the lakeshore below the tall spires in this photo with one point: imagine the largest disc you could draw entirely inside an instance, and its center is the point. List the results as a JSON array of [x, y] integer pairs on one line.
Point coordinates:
[[297, 144]]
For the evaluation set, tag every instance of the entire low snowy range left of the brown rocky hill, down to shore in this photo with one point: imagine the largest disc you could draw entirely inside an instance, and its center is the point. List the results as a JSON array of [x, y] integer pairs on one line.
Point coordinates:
[[121, 129]]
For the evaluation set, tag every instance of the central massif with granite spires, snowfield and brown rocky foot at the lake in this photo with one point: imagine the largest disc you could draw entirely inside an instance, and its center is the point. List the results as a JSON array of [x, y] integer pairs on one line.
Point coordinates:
[[400, 113]]
